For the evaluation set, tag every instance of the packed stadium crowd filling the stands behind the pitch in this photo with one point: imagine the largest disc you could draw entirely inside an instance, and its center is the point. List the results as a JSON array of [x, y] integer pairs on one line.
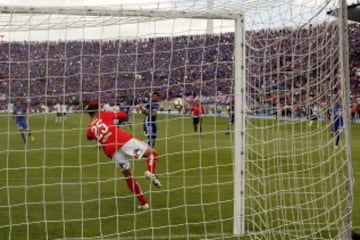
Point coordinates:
[[279, 61]]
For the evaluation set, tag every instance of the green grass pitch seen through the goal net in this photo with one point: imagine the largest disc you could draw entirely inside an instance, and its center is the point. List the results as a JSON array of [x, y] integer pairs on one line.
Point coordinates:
[[62, 187]]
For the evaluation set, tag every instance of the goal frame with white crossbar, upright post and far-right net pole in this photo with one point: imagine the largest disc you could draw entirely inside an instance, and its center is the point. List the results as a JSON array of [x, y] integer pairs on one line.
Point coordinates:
[[239, 83]]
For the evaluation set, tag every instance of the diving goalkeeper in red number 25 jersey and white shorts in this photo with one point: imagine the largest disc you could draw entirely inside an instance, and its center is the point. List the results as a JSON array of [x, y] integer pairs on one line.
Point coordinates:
[[117, 144]]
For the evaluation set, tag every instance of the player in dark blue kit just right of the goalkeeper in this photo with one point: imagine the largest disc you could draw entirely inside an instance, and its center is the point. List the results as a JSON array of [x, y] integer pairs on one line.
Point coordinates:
[[150, 111]]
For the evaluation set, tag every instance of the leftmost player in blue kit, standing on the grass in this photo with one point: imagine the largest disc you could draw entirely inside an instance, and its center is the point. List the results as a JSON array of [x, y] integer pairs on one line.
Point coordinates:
[[20, 112]]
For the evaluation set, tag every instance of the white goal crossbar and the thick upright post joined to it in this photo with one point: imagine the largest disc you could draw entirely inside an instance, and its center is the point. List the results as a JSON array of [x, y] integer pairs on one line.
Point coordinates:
[[239, 73]]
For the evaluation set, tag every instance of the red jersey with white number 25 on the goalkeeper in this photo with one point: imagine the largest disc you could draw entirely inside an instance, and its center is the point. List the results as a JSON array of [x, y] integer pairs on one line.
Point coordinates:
[[106, 133]]
